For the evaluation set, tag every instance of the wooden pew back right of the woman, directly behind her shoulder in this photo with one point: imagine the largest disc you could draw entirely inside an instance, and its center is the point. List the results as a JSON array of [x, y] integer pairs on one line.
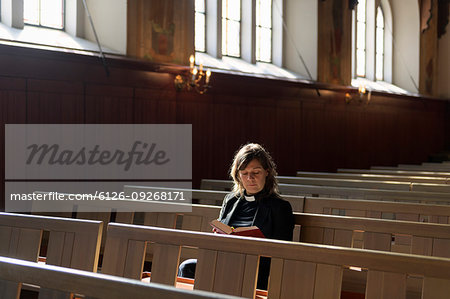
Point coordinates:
[[378, 234]]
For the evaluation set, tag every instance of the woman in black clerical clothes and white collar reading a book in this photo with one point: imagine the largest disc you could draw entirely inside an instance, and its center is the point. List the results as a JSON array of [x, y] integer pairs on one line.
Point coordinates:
[[254, 201]]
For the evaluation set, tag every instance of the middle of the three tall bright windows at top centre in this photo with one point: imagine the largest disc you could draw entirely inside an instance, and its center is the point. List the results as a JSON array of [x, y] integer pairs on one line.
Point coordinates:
[[231, 28]]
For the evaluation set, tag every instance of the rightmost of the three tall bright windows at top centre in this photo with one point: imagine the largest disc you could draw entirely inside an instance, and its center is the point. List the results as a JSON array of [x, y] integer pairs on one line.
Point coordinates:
[[264, 30]]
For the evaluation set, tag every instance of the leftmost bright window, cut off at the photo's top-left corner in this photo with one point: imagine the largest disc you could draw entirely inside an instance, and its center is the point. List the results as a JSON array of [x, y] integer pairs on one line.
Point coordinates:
[[45, 13]]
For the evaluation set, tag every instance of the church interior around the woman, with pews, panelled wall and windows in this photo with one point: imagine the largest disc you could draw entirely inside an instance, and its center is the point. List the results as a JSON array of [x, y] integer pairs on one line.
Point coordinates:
[[351, 98]]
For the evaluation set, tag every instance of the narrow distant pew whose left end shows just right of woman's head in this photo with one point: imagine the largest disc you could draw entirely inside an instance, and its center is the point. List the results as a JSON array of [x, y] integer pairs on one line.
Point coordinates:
[[373, 177]]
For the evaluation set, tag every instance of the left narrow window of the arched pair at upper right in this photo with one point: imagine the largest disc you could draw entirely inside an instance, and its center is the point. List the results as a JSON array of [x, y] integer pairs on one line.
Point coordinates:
[[361, 39]]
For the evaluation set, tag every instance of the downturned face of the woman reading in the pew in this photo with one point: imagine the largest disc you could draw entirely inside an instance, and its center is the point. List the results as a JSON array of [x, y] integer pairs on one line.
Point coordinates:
[[253, 177]]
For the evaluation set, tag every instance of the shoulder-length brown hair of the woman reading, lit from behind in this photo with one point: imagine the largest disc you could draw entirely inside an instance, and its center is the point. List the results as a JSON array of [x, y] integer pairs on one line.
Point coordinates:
[[244, 156]]
